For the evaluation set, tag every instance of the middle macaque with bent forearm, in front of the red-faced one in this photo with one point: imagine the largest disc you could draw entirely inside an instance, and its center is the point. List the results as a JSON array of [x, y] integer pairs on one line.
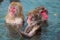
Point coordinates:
[[33, 24]]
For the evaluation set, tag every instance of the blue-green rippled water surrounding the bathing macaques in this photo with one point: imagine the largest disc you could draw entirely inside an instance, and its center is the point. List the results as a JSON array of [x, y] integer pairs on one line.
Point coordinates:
[[53, 7]]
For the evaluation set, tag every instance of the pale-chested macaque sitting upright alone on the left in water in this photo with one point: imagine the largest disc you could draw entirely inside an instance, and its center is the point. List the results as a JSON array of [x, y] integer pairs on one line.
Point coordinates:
[[15, 17]]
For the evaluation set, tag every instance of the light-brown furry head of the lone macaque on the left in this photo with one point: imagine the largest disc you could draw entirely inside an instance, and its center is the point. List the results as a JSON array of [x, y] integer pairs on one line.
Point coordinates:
[[15, 8]]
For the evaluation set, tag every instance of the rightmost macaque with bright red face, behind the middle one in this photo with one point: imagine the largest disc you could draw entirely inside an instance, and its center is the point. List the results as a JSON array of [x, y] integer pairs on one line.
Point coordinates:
[[43, 12]]
